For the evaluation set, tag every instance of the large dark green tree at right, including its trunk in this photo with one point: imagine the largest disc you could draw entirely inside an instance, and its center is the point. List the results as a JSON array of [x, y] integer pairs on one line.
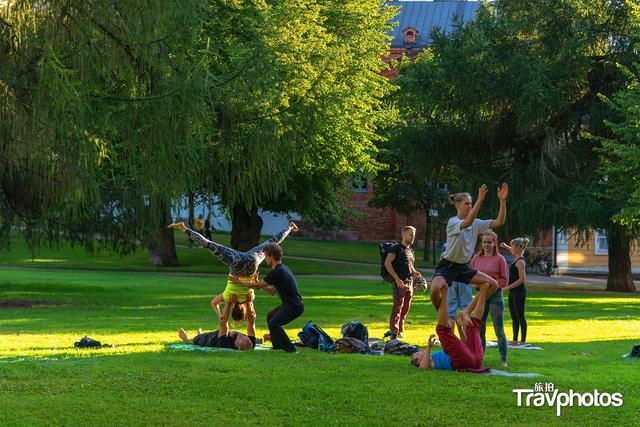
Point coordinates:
[[508, 97]]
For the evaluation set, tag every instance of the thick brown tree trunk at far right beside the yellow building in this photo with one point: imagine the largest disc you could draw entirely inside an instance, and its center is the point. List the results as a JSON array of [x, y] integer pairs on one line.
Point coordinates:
[[620, 278]]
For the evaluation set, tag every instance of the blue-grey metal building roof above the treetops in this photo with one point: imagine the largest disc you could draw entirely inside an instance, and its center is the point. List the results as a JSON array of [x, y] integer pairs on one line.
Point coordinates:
[[424, 16]]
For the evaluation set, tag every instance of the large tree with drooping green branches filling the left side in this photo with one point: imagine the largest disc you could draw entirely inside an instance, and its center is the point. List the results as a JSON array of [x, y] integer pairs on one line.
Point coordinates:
[[103, 115]]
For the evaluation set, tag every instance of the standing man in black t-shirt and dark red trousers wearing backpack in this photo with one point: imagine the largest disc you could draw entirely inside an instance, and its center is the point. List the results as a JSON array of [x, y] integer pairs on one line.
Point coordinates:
[[399, 264]]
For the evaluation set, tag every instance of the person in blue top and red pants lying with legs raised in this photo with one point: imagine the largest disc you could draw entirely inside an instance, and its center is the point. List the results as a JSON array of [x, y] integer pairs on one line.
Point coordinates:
[[455, 354]]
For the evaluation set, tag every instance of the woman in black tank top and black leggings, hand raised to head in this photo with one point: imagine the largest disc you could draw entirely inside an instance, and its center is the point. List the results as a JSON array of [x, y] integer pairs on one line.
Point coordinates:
[[517, 289]]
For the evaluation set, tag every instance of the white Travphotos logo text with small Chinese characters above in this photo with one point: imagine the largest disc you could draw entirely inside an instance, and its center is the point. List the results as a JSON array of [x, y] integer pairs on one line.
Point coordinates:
[[547, 394]]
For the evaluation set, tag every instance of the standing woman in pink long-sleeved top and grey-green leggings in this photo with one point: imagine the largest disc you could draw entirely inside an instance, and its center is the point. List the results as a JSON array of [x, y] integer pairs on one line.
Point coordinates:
[[491, 263]]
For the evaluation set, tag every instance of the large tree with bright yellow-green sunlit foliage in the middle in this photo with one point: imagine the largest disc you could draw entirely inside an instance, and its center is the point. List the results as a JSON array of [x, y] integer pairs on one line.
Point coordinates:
[[298, 112]]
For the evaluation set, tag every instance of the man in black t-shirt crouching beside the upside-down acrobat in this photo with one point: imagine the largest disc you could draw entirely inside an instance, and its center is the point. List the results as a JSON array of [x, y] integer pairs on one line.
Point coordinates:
[[279, 281]]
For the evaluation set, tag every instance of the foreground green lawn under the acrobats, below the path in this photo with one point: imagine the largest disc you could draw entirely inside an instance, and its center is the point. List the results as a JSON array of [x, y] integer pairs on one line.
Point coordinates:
[[44, 381]]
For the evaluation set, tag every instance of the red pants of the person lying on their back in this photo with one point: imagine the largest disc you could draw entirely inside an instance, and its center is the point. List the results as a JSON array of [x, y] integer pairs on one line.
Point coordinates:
[[463, 356]]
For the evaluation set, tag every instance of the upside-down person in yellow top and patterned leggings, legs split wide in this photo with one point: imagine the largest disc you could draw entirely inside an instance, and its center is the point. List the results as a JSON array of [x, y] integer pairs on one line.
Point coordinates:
[[241, 264]]
